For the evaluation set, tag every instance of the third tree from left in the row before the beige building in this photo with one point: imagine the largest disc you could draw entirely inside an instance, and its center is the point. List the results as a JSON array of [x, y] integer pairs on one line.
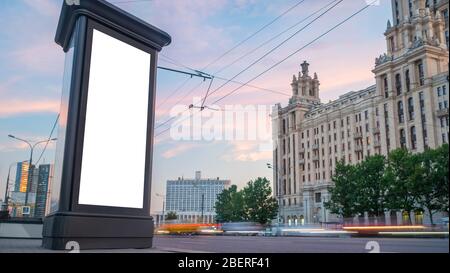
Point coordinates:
[[400, 165]]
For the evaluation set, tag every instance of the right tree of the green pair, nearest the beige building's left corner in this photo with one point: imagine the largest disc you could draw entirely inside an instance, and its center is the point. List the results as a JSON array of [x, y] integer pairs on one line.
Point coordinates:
[[259, 205]]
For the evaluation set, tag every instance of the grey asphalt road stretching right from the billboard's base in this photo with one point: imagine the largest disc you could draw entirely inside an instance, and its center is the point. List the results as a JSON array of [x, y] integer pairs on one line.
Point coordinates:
[[261, 244]]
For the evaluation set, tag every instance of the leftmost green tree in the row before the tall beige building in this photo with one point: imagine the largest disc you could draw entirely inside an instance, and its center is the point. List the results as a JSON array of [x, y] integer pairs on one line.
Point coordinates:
[[344, 193]]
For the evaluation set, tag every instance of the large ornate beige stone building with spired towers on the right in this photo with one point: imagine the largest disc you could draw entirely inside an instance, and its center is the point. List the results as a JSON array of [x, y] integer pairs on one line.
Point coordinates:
[[407, 107]]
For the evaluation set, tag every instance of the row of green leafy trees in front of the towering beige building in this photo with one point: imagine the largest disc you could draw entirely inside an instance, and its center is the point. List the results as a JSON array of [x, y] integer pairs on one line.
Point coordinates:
[[404, 181]]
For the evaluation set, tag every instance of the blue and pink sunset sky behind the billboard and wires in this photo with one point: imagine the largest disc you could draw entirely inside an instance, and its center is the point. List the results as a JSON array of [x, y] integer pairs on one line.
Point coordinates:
[[31, 72]]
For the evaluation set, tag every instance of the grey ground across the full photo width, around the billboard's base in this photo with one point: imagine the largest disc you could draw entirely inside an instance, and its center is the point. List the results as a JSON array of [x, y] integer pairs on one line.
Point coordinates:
[[257, 244]]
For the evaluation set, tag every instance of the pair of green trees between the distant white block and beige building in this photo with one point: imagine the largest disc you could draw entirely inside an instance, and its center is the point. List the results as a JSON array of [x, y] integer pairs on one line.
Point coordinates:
[[253, 203]]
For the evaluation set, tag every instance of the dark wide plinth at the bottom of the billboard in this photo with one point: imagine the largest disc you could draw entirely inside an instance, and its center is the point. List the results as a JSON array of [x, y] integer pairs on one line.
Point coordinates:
[[62, 231]]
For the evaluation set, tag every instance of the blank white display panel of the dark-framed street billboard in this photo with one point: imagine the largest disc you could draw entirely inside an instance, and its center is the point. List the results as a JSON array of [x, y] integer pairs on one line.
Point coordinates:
[[115, 137]]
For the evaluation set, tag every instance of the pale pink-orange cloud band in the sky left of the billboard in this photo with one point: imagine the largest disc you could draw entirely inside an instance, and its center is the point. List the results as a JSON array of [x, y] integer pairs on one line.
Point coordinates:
[[19, 106]]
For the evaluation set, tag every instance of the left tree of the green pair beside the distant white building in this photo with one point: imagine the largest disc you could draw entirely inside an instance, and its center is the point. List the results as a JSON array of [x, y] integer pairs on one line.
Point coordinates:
[[230, 205]]
